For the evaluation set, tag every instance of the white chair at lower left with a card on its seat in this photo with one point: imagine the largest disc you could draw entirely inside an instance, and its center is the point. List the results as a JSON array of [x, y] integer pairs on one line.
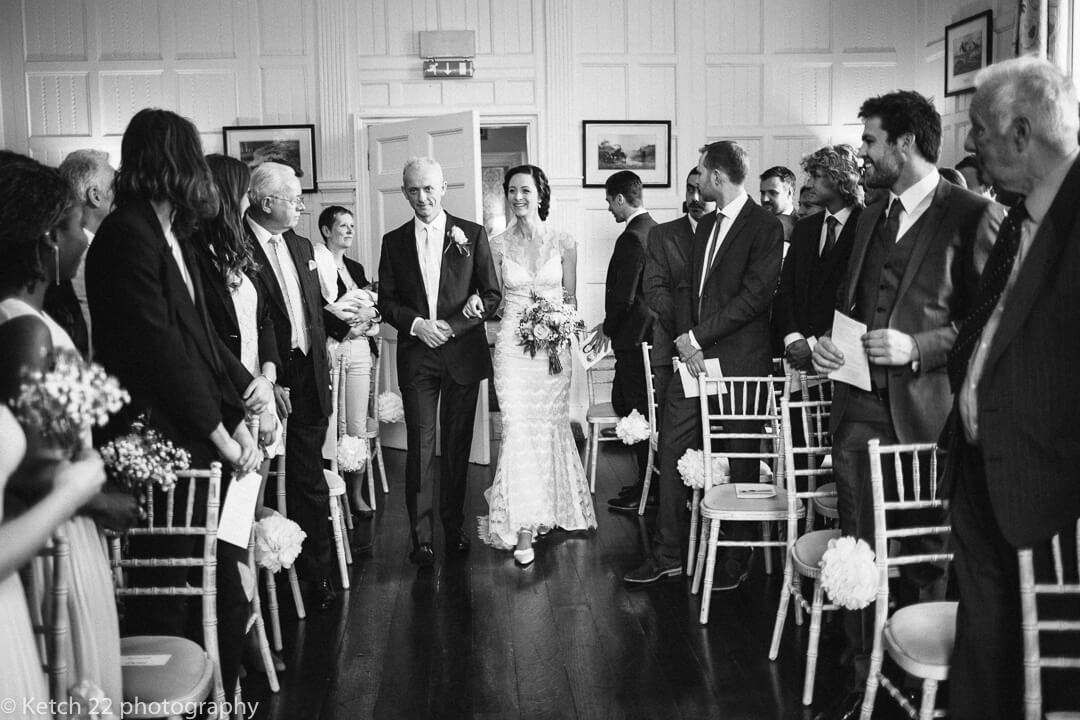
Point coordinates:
[[192, 674]]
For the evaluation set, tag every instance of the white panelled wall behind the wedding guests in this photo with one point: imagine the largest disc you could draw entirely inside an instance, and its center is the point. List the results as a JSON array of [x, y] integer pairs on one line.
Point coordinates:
[[784, 77]]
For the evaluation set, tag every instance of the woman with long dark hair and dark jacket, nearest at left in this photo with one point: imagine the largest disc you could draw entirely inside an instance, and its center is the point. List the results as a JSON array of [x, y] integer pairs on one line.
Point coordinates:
[[152, 332]]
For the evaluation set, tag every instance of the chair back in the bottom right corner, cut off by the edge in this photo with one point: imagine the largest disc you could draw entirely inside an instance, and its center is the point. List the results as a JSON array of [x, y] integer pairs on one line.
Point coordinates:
[[1033, 626]]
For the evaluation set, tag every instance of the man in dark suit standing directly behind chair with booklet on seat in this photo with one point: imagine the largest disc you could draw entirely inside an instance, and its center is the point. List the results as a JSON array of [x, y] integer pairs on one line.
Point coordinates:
[[722, 311]]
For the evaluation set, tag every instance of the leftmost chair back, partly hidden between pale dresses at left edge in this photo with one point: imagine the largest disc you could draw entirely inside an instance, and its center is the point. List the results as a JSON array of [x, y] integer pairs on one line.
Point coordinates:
[[48, 604]]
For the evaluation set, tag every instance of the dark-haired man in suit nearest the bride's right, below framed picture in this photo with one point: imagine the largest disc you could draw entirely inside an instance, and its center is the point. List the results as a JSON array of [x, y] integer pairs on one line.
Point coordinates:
[[628, 320]]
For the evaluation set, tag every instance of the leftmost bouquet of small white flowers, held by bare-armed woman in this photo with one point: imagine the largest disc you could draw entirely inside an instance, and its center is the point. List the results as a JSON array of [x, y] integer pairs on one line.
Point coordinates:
[[62, 404]]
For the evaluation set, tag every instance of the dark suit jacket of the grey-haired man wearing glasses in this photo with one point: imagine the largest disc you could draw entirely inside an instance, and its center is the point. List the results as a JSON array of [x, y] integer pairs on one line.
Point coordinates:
[[266, 283]]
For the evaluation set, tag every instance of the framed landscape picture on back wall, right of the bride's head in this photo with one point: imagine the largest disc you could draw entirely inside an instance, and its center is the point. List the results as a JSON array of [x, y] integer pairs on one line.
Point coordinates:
[[642, 146]]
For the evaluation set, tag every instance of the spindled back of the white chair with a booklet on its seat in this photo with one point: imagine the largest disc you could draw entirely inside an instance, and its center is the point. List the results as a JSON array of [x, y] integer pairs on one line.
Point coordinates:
[[752, 400]]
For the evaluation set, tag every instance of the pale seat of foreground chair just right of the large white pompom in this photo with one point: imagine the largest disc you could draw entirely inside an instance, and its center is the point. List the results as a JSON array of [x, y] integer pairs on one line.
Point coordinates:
[[920, 639]]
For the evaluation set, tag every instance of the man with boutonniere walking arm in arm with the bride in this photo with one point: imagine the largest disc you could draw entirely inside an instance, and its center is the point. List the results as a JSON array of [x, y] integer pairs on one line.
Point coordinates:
[[429, 269]]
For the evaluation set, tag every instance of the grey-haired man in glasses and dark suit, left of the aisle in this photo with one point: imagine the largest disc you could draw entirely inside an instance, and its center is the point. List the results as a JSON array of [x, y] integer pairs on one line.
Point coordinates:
[[289, 277]]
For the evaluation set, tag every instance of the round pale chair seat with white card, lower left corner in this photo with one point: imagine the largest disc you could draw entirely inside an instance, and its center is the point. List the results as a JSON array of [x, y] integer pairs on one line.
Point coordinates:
[[185, 678]]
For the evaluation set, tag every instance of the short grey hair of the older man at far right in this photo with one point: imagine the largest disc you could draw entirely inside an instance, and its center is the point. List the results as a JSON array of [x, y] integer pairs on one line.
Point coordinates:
[[1034, 89]]
